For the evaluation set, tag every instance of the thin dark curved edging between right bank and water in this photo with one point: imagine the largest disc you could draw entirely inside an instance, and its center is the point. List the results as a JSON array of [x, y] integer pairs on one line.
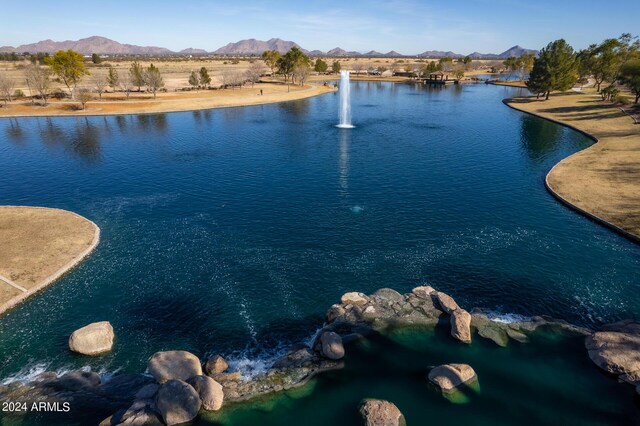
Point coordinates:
[[632, 237]]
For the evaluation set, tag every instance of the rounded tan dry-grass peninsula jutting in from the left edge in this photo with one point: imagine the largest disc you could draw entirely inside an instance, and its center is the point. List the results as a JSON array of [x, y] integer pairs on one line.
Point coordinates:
[[39, 246]]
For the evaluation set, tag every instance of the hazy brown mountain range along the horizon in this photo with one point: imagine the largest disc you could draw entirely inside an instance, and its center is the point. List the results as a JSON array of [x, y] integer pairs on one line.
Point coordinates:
[[102, 45]]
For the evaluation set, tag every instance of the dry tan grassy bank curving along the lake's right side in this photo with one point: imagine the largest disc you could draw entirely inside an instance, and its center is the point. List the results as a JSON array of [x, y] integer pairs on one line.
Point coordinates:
[[602, 181]]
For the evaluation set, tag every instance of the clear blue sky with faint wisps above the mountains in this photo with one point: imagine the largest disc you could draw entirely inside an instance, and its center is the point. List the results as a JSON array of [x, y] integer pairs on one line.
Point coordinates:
[[407, 26]]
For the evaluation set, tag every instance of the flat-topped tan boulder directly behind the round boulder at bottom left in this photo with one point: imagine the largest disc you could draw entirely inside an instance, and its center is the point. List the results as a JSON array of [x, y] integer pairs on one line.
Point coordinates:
[[168, 365]]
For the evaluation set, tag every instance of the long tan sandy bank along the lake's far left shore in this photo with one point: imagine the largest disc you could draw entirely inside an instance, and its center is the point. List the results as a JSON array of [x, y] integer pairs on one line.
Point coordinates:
[[166, 104]]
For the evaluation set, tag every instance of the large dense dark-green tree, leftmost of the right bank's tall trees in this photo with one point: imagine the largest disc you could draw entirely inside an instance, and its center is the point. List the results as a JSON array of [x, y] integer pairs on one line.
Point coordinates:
[[554, 69]]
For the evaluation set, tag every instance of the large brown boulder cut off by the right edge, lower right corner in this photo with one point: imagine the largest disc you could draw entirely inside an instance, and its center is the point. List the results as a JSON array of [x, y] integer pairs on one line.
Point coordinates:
[[616, 349]]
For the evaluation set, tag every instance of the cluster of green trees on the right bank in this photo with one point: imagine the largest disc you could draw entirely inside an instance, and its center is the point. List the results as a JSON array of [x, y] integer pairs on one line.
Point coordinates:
[[614, 61]]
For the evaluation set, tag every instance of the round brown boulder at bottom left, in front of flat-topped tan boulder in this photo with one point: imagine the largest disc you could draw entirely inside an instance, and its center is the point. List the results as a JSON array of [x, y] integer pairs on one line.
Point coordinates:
[[177, 402]]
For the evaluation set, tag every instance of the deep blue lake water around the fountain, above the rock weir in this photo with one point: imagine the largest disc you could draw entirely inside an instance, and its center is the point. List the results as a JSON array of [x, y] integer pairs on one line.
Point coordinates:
[[232, 231]]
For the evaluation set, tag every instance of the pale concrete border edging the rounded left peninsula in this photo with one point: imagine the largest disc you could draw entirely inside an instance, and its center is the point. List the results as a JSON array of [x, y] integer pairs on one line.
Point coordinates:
[[59, 272]]
